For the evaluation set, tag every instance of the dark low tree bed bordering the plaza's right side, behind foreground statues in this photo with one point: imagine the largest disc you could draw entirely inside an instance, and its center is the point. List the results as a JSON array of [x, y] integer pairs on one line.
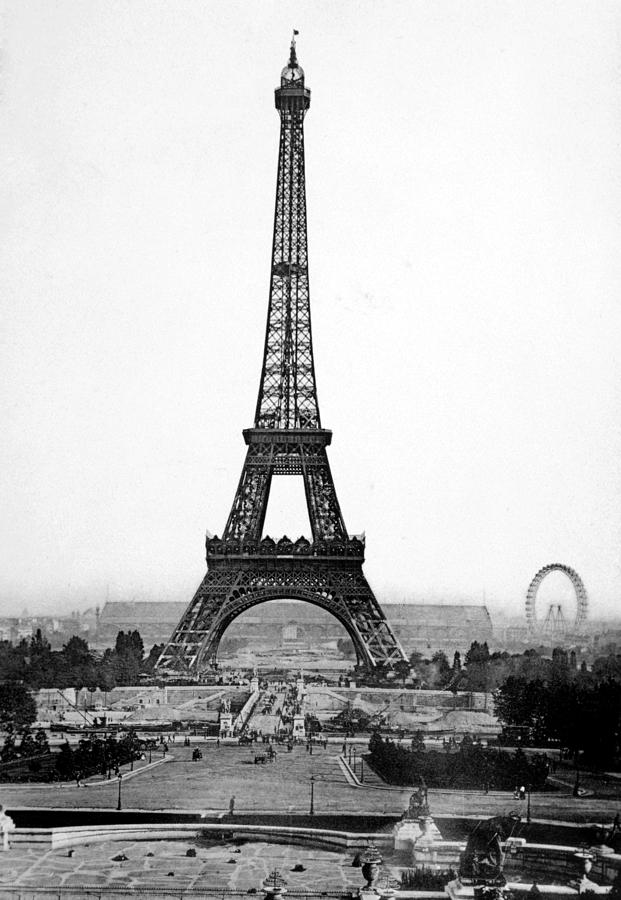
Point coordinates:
[[471, 766]]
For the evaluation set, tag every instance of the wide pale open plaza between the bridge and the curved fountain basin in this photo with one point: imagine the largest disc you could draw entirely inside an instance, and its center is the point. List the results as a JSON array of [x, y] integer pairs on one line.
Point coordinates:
[[176, 782]]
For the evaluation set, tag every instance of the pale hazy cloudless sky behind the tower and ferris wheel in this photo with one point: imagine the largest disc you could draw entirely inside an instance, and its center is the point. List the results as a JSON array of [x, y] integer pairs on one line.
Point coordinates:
[[464, 203]]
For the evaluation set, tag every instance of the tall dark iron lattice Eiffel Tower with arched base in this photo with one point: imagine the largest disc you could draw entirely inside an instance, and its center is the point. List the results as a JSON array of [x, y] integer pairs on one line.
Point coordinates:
[[244, 568]]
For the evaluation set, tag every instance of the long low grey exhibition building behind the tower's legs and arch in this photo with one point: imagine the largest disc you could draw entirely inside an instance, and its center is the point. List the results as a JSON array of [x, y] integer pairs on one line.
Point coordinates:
[[295, 625]]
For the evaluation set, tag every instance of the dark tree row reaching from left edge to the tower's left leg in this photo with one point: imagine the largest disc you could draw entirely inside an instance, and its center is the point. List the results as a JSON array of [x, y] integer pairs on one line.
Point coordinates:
[[36, 665]]
